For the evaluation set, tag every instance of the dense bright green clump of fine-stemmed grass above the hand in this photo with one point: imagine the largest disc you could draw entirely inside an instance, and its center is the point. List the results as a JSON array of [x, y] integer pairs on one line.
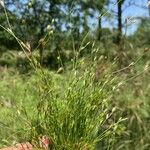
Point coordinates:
[[76, 117]]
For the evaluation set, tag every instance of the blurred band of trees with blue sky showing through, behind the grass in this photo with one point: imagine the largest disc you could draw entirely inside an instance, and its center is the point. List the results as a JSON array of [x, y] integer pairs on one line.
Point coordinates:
[[104, 22]]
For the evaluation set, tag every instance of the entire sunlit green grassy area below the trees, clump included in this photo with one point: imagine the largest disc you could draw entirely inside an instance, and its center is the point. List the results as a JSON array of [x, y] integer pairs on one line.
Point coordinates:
[[94, 105]]
